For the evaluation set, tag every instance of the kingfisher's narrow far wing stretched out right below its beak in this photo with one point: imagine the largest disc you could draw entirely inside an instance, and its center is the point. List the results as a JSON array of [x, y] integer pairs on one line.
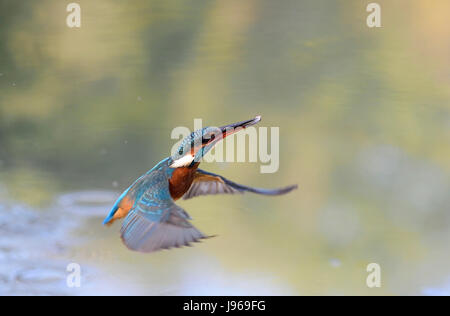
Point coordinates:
[[206, 183]]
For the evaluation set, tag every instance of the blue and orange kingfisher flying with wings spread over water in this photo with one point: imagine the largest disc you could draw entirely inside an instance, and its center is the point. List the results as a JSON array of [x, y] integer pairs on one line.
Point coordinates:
[[152, 219]]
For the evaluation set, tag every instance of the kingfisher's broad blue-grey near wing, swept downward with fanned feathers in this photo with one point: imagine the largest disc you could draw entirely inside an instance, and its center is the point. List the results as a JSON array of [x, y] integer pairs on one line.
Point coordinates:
[[155, 224]]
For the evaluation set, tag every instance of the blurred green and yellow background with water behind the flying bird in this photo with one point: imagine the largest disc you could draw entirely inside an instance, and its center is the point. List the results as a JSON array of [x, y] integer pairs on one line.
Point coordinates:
[[364, 117]]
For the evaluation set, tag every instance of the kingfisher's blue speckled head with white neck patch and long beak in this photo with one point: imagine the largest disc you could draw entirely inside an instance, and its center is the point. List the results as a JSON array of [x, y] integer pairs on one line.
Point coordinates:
[[198, 143]]
